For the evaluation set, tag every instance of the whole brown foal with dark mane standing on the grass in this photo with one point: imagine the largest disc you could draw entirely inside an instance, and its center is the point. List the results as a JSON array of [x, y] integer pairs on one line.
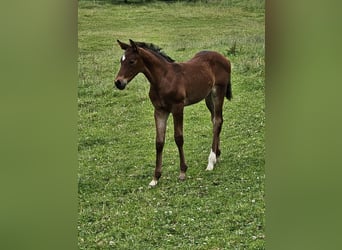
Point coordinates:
[[175, 85]]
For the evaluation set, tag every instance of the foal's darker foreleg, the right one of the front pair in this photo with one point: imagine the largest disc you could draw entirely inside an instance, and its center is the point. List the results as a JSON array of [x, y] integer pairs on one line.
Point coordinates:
[[177, 113]]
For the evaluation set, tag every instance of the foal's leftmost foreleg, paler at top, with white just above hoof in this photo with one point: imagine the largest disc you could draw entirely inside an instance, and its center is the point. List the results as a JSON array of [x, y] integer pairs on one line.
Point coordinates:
[[160, 118]]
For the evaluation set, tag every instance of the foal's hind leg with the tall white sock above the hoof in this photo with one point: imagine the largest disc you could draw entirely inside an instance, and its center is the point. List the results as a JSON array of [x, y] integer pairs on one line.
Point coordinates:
[[217, 98]]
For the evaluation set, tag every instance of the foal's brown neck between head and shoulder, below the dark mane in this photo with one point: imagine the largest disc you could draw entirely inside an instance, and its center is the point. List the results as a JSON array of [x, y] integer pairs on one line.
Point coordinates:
[[155, 67]]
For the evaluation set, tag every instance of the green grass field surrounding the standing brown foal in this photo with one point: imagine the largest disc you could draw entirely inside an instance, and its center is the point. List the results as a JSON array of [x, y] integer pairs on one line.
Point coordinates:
[[222, 209]]
